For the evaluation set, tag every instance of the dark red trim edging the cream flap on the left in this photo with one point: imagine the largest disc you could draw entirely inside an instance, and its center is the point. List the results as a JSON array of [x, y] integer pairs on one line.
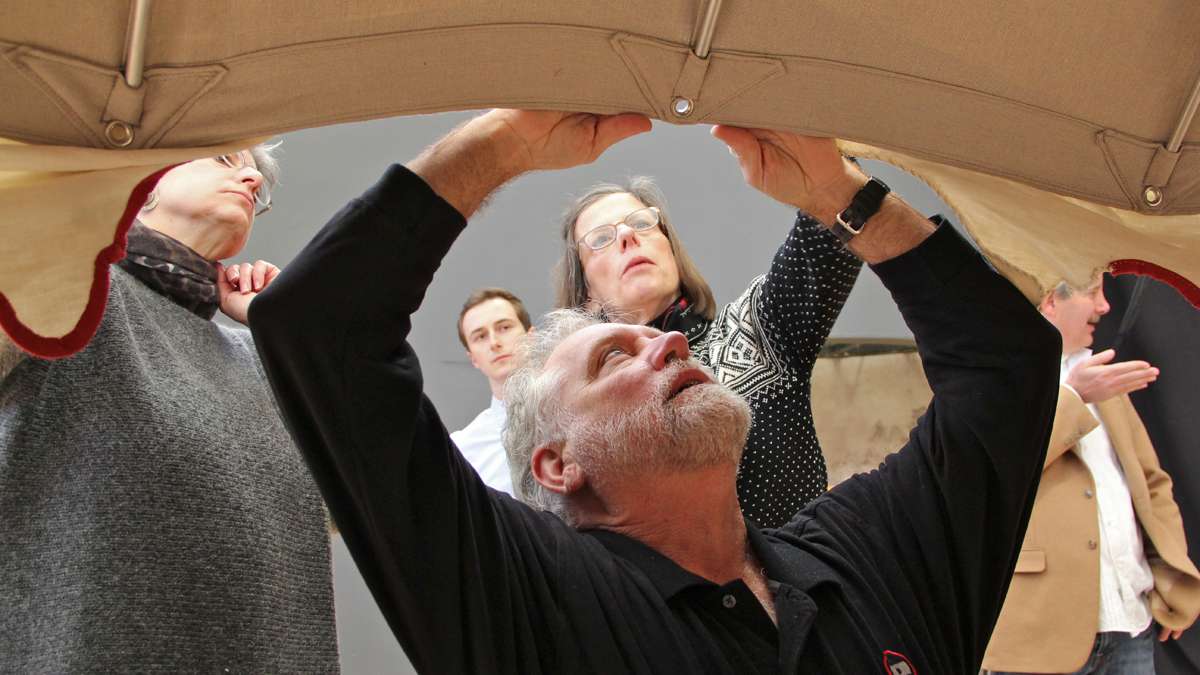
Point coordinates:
[[79, 338]]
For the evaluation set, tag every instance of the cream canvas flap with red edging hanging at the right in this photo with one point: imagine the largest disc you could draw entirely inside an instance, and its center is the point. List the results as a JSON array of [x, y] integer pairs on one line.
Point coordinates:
[[1037, 238]]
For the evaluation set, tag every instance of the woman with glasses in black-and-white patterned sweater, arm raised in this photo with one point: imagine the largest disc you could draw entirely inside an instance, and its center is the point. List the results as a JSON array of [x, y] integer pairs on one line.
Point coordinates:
[[623, 255]]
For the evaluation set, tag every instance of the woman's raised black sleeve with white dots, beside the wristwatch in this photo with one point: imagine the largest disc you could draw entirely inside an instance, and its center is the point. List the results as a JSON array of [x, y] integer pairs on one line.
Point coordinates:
[[803, 294]]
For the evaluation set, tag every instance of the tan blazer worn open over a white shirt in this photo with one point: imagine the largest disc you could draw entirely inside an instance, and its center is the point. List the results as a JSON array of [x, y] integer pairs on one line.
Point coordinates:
[[1052, 613]]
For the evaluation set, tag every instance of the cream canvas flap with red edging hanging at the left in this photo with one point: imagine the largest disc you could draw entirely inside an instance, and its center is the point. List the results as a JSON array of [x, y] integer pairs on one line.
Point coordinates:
[[63, 210]]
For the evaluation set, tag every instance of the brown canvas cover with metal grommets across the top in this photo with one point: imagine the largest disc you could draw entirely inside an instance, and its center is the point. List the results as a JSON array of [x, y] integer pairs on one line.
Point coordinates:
[[1076, 99]]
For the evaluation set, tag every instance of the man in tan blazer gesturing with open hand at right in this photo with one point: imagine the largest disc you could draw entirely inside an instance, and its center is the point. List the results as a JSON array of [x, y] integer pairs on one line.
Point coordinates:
[[1105, 557]]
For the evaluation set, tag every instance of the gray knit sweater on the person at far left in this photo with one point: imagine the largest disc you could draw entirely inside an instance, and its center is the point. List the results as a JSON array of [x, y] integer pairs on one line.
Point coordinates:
[[155, 513]]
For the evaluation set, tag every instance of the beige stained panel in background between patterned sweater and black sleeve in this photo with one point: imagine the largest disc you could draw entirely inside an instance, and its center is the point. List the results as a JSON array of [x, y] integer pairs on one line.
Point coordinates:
[[865, 407]]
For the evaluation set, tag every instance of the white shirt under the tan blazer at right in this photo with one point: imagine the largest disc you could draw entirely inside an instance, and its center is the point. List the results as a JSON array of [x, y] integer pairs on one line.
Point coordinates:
[[1126, 580]]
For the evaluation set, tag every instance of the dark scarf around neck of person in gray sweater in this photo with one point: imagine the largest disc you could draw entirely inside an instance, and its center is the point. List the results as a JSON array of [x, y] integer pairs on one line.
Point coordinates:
[[172, 270]]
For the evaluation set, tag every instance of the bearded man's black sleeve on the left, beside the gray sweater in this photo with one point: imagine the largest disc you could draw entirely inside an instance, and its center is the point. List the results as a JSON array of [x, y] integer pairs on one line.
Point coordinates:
[[455, 568]]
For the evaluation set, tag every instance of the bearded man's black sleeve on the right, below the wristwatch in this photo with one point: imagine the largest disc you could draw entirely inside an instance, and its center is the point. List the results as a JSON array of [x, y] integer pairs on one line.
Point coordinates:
[[947, 515]]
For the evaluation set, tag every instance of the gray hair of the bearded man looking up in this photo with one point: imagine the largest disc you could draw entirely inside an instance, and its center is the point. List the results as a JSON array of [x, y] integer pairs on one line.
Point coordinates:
[[535, 415]]
